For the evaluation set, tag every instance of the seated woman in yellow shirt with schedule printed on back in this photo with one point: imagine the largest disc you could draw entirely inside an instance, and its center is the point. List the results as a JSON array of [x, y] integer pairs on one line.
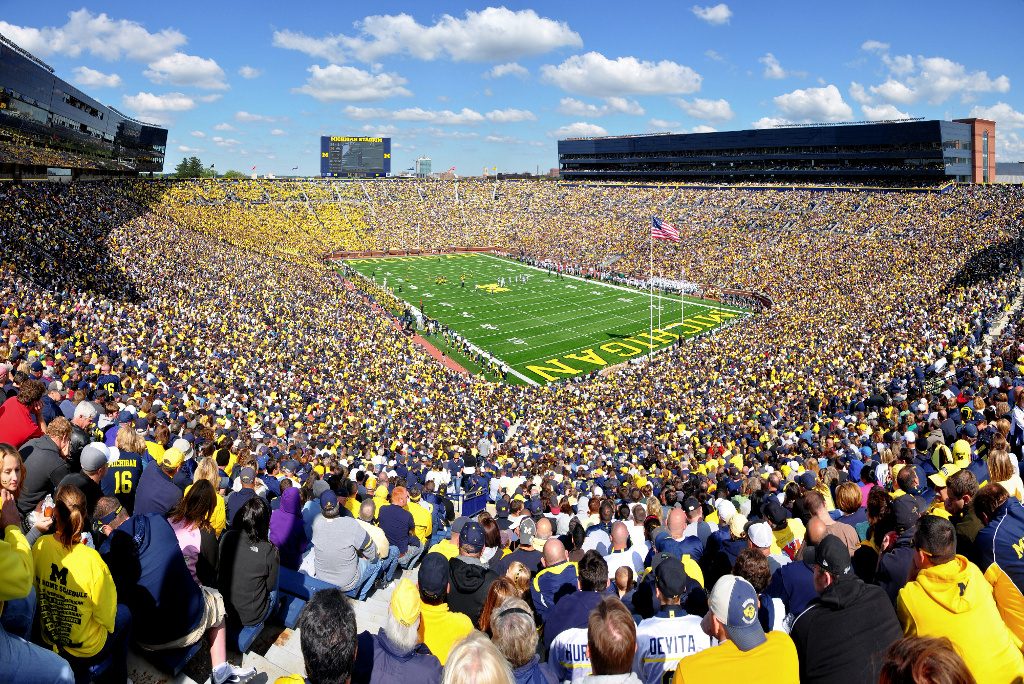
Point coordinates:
[[78, 603]]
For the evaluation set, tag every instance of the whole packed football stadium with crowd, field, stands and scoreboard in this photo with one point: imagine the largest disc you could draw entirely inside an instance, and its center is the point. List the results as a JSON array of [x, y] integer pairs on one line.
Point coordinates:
[[706, 400]]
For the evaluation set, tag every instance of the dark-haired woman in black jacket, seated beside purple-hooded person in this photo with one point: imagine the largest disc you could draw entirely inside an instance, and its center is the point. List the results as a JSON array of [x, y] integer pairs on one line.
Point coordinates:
[[249, 565]]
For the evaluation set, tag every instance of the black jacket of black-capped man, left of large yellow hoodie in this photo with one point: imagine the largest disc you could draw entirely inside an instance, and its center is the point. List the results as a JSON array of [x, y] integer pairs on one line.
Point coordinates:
[[843, 636]]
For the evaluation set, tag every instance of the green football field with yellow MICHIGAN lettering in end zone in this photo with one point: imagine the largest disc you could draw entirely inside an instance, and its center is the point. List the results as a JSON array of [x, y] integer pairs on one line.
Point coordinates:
[[547, 328]]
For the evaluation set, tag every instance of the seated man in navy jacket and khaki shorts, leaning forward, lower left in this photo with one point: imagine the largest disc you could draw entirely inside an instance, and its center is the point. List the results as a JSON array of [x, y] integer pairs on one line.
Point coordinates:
[[169, 610]]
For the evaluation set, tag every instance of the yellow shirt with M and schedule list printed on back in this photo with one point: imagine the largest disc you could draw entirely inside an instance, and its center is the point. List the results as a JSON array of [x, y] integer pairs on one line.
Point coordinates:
[[77, 598]]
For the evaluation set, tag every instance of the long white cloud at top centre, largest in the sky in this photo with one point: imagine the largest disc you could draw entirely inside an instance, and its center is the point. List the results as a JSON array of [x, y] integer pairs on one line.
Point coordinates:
[[493, 34]]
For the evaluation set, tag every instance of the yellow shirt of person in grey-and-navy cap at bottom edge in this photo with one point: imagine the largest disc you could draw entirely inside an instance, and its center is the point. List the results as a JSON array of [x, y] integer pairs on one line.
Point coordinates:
[[775, 662]]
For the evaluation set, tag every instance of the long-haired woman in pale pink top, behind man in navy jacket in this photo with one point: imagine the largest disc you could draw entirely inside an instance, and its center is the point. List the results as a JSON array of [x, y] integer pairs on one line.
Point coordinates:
[[191, 522]]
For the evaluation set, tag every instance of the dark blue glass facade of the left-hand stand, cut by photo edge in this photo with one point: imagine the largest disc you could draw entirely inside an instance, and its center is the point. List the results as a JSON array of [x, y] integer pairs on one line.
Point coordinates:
[[38, 107]]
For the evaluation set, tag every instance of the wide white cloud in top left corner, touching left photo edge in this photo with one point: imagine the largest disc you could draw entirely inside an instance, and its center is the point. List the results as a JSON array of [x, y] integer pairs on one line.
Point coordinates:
[[98, 35]]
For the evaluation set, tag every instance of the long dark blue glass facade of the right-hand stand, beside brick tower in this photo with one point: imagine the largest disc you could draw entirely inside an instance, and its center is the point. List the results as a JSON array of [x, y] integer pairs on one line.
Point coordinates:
[[913, 152]]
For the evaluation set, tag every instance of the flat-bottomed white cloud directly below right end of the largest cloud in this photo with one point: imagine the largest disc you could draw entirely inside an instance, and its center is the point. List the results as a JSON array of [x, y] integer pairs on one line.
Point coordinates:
[[594, 74]]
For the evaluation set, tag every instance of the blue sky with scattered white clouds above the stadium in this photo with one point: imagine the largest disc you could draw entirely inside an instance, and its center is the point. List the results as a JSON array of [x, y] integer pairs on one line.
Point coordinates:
[[497, 85]]
